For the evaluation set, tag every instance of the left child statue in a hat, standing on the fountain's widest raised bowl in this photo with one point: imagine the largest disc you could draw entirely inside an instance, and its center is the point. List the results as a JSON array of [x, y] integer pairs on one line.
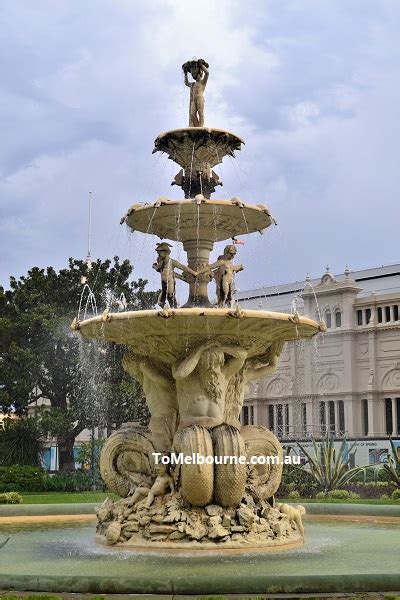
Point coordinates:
[[165, 265]]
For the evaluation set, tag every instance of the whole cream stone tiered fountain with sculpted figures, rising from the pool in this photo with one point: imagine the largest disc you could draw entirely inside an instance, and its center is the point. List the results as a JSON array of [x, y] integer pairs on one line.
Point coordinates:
[[194, 363]]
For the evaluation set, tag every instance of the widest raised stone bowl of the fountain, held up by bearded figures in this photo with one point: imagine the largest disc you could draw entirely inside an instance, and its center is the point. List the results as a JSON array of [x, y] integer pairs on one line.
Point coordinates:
[[169, 336]]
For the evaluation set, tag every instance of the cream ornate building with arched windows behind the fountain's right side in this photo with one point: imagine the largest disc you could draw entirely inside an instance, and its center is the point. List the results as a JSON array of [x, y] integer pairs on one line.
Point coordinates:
[[345, 381]]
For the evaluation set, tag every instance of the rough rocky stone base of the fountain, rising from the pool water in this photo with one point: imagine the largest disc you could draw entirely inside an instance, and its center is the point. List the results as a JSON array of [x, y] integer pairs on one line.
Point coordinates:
[[171, 523]]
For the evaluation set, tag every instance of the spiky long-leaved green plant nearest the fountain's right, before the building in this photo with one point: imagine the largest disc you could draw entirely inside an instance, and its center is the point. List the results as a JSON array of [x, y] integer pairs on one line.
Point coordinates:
[[330, 468]]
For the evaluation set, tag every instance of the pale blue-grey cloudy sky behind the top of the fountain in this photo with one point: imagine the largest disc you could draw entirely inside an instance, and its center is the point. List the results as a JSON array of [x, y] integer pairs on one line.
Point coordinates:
[[311, 85]]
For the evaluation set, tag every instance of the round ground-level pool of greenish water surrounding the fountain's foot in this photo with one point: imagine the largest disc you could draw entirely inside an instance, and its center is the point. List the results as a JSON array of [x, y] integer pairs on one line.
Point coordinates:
[[337, 557]]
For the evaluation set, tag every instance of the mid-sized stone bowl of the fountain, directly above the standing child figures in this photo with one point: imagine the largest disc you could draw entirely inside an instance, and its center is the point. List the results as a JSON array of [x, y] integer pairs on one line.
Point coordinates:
[[182, 220]]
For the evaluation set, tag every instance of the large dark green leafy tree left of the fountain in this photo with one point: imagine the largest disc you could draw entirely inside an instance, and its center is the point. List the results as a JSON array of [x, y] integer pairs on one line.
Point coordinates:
[[40, 357]]
